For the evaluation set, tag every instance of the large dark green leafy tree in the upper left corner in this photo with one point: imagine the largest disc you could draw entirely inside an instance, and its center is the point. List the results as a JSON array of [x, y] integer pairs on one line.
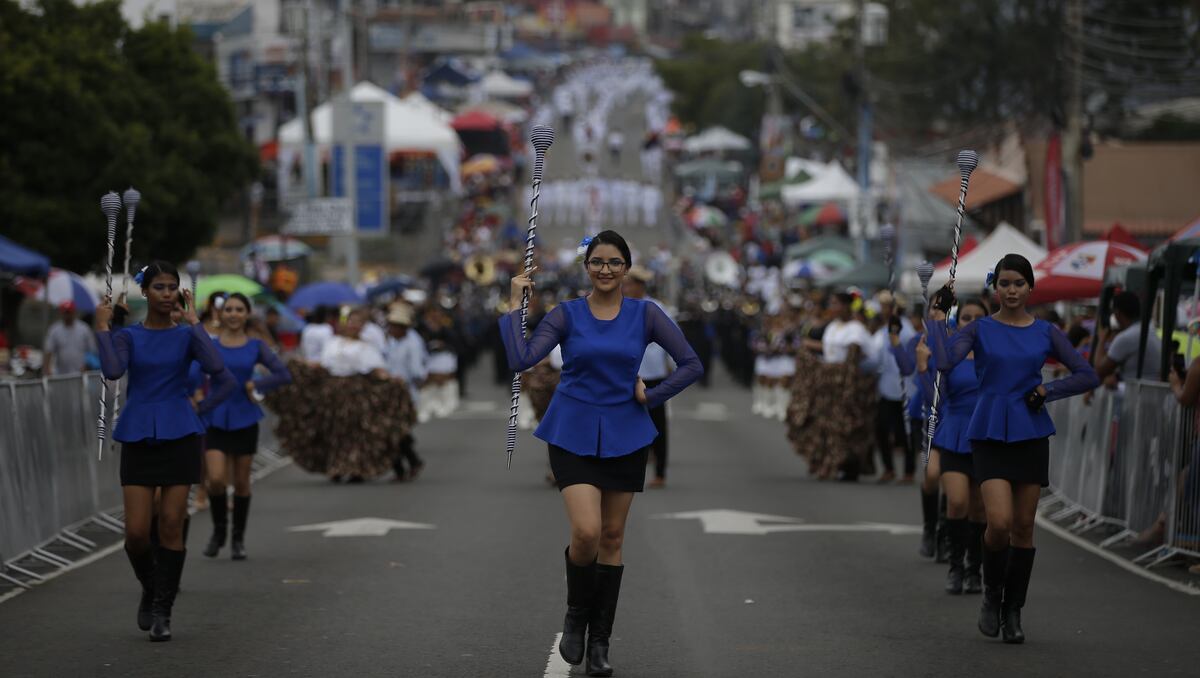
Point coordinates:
[[93, 106]]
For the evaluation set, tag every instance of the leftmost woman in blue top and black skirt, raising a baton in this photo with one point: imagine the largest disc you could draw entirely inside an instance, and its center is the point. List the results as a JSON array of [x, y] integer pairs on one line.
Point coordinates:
[[160, 429]]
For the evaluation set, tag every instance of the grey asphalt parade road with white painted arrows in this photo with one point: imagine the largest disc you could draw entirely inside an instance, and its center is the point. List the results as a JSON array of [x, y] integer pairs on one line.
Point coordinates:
[[477, 589]]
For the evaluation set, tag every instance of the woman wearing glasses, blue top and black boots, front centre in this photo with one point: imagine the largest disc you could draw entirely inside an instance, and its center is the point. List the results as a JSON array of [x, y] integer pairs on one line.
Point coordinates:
[[598, 427]]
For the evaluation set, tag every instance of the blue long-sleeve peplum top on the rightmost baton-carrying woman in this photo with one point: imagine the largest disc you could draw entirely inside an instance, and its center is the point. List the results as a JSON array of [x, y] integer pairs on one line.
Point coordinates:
[[1009, 364]]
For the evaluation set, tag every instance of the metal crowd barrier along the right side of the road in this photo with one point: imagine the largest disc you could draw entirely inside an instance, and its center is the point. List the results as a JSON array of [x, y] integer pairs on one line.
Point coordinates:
[[1129, 459]]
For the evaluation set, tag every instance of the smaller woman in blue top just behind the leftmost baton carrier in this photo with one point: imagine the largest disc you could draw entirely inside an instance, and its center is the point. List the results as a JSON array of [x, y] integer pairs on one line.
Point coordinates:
[[232, 435]]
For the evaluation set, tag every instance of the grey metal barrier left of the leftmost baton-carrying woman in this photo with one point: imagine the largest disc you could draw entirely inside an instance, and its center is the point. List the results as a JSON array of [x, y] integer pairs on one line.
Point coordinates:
[[50, 473]]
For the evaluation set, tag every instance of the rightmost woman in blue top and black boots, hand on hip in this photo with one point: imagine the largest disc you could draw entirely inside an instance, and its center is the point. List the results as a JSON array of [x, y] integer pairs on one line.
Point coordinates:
[[1010, 429]]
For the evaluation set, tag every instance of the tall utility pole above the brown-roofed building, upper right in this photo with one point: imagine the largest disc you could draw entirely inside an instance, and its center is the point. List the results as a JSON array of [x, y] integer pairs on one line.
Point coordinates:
[[1073, 137]]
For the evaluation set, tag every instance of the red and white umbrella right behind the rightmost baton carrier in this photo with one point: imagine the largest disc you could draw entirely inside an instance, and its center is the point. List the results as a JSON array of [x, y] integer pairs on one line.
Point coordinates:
[[1077, 271]]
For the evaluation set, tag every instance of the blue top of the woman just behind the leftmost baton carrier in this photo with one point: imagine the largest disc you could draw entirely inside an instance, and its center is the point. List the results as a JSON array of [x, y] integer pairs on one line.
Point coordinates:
[[238, 411]]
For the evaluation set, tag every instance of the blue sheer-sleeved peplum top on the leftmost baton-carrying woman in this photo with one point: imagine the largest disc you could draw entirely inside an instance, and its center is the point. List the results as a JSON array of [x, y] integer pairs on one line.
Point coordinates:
[[158, 362]]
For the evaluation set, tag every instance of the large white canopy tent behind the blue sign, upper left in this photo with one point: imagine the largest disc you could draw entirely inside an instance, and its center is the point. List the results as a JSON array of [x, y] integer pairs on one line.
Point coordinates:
[[411, 127]]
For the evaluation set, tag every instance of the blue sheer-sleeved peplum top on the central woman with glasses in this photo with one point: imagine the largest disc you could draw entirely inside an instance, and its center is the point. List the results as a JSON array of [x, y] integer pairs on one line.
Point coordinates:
[[595, 411]]
